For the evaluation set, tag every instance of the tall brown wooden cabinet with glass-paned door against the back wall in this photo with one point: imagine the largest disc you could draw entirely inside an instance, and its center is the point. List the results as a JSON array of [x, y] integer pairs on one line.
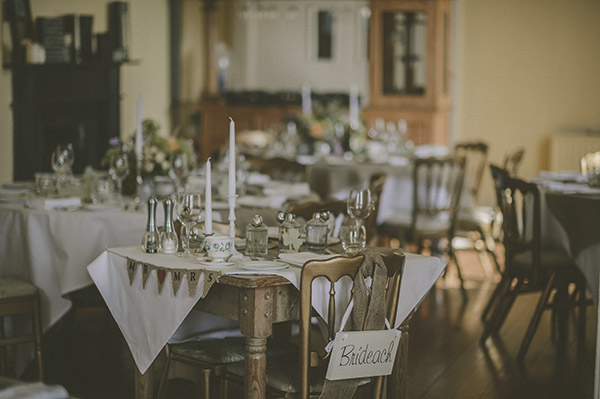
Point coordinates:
[[409, 66]]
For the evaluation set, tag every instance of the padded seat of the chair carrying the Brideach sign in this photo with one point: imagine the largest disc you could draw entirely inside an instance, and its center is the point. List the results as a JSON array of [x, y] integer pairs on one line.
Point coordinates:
[[283, 374]]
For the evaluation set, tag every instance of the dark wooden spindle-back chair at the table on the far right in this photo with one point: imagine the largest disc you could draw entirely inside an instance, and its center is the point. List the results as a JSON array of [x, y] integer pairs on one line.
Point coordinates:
[[529, 267]]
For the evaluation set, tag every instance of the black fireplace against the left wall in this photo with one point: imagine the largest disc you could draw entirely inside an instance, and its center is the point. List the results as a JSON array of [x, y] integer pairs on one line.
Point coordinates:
[[60, 103]]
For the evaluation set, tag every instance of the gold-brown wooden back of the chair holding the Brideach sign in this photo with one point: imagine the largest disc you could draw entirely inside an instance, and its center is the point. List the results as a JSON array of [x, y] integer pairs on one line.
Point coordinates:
[[333, 270]]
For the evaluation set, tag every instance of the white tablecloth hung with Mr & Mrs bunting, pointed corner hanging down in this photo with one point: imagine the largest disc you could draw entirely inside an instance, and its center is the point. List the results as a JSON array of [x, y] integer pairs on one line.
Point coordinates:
[[148, 319]]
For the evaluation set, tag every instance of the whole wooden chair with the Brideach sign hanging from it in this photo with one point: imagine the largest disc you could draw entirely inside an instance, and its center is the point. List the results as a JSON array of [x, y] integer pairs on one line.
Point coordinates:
[[304, 378]]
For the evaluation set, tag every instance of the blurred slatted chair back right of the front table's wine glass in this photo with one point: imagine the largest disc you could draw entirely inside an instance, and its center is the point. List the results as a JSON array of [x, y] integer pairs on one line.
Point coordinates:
[[437, 188]]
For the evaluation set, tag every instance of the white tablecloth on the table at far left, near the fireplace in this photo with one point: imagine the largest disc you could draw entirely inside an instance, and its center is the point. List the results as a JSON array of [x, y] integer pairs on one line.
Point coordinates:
[[51, 249]]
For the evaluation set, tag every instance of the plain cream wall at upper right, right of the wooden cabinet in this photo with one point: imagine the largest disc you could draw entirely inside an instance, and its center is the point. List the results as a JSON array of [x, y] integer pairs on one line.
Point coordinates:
[[526, 69]]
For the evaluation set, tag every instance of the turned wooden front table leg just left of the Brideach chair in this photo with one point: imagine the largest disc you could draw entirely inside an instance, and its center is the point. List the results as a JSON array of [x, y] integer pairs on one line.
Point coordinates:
[[256, 323]]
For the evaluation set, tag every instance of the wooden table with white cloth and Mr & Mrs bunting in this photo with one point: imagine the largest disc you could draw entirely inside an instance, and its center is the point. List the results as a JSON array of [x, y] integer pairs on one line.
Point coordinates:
[[258, 301]]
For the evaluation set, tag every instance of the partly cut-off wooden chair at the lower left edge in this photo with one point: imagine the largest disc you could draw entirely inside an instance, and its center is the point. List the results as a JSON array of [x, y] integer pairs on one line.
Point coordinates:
[[19, 297]]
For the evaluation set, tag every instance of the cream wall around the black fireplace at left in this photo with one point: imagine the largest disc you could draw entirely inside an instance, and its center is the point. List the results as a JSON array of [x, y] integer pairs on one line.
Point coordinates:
[[148, 77]]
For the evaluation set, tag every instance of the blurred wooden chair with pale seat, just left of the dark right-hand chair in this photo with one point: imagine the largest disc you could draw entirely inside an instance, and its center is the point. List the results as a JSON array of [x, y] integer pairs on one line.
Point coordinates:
[[474, 223]]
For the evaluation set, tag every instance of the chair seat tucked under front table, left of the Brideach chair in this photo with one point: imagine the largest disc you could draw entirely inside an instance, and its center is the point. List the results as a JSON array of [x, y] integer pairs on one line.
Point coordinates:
[[225, 350]]
